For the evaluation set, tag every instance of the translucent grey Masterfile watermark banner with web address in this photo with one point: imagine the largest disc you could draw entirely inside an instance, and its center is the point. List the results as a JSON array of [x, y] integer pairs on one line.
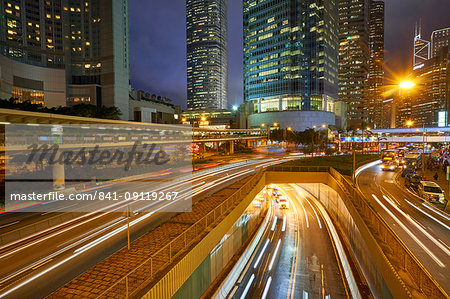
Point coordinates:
[[98, 168]]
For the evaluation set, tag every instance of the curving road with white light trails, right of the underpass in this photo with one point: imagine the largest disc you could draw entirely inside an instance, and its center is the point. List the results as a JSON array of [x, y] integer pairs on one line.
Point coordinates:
[[424, 229]]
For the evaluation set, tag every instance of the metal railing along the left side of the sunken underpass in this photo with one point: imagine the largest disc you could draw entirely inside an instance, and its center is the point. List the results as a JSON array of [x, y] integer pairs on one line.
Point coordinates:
[[146, 271]]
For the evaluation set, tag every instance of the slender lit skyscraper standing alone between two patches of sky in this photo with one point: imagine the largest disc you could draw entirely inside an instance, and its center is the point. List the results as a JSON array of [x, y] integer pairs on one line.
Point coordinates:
[[207, 54]]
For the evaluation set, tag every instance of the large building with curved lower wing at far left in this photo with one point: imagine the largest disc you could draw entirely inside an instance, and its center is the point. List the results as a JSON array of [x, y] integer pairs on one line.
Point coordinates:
[[64, 52]]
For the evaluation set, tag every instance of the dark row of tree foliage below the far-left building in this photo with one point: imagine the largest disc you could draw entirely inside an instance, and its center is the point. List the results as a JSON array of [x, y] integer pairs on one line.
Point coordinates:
[[83, 110]]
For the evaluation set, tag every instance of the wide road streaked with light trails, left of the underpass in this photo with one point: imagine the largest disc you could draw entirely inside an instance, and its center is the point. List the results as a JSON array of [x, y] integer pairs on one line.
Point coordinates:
[[36, 266]]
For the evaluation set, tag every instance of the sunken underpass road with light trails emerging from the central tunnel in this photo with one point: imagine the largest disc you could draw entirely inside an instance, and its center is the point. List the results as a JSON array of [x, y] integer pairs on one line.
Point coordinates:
[[296, 256]]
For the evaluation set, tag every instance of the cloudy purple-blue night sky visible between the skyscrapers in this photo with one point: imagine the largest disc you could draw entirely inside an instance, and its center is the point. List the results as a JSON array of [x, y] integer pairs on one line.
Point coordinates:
[[158, 42]]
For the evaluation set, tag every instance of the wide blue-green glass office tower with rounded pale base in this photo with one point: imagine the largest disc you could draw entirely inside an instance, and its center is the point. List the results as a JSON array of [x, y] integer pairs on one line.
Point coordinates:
[[290, 62]]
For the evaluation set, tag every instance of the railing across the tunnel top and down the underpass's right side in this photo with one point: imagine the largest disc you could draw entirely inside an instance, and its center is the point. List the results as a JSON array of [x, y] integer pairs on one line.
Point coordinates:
[[385, 236]]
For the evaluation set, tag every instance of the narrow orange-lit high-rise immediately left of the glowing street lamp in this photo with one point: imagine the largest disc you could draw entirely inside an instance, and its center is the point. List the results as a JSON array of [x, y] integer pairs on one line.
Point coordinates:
[[376, 63]]
